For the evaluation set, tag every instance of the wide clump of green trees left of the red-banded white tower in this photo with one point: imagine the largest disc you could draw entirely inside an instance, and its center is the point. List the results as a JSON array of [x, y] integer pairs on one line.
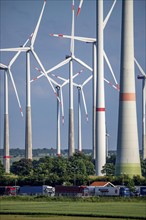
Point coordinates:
[[54, 170]]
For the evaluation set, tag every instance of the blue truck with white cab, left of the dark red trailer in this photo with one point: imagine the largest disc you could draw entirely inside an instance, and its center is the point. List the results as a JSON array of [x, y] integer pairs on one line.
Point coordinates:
[[37, 190]]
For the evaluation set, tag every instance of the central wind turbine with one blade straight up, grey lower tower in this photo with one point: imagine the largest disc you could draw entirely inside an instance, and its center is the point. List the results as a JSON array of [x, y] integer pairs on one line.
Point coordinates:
[[70, 59]]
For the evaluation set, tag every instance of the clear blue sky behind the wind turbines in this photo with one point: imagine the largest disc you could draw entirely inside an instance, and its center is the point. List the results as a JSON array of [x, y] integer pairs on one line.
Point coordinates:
[[18, 20]]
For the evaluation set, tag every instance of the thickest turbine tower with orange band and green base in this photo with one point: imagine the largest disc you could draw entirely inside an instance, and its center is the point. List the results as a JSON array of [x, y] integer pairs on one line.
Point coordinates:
[[128, 161]]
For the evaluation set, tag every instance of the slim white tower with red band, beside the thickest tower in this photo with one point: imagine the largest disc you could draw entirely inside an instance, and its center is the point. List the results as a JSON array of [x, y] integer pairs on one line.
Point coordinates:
[[100, 100]]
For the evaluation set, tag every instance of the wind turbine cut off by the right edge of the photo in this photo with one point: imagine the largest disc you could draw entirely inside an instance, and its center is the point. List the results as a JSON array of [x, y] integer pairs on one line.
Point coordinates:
[[143, 78]]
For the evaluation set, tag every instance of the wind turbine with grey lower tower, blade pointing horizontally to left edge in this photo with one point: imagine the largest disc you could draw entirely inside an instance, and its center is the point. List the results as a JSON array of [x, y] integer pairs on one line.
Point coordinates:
[[28, 128]]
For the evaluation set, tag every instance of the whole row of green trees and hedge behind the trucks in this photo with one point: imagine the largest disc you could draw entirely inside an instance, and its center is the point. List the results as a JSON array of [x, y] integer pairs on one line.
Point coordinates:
[[76, 170]]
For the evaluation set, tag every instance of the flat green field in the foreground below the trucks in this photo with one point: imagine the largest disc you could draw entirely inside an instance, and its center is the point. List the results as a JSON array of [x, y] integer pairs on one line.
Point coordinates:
[[77, 210]]
